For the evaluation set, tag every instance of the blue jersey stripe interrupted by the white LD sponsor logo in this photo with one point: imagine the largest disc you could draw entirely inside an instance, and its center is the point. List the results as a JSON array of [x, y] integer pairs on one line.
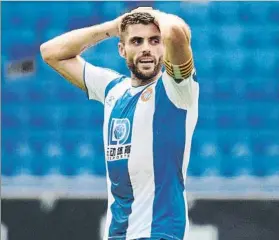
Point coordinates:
[[121, 188]]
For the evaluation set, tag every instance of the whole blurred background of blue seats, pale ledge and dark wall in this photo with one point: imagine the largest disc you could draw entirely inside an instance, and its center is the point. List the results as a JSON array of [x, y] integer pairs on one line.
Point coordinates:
[[52, 160]]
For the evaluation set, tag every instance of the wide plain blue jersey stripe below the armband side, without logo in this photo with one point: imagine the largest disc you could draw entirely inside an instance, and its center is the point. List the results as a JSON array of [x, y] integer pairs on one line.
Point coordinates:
[[168, 130]]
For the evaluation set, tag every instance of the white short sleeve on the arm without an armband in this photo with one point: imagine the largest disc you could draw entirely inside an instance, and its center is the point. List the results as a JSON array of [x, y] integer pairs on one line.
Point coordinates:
[[96, 79]]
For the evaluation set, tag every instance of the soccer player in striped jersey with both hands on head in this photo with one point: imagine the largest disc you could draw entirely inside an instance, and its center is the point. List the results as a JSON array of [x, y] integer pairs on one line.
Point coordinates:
[[149, 118]]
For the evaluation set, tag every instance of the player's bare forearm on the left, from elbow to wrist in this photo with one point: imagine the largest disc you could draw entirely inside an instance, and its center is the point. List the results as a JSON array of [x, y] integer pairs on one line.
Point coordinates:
[[72, 44]]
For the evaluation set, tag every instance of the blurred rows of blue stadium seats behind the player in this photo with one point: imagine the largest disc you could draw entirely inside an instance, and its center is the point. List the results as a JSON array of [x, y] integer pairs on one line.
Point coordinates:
[[49, 126]]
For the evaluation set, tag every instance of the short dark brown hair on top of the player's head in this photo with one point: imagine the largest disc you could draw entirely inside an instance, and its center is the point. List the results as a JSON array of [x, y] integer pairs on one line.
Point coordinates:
[[136, 18]]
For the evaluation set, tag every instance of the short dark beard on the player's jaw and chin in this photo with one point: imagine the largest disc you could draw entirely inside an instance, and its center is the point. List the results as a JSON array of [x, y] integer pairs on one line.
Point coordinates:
[[143, 76]]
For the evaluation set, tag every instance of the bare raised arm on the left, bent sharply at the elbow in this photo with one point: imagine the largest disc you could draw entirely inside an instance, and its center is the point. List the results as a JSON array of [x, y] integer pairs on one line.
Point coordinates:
[[62, 53]]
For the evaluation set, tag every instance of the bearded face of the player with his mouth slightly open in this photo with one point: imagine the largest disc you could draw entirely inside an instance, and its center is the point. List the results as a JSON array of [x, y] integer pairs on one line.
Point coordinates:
[[143, 50]]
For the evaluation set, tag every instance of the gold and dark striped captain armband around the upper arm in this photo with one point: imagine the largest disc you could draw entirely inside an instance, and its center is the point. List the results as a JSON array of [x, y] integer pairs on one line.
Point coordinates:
[[181, 71]]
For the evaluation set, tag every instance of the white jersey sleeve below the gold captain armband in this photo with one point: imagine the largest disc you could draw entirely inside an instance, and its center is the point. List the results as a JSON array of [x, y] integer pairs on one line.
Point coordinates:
[[185, 94]]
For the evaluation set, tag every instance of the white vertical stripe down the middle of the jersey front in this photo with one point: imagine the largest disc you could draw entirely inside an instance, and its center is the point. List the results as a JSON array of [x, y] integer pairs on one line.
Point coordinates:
[[141, 169]]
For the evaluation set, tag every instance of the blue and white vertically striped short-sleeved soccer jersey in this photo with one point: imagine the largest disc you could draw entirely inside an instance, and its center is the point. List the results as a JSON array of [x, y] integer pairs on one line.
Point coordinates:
[[147, 139]]
